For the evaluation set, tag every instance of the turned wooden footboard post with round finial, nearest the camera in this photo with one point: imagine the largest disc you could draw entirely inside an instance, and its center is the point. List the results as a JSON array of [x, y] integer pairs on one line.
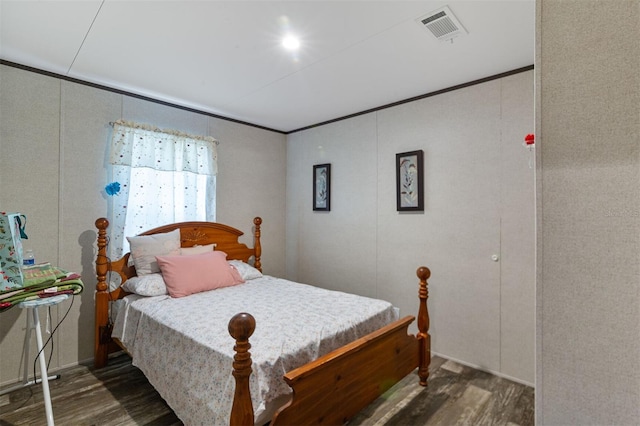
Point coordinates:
[[241, 327]]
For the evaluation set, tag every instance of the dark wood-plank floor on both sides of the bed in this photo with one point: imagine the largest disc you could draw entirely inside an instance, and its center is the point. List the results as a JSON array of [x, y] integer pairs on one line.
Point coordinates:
[[120, 395]]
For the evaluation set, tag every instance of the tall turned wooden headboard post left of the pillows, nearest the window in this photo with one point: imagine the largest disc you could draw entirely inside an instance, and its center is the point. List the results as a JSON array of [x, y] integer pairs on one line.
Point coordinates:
[[102, 297]]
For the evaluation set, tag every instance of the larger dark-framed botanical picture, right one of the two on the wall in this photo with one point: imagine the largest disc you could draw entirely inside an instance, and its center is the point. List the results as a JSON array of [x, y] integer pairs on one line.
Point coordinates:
[[410, 181]]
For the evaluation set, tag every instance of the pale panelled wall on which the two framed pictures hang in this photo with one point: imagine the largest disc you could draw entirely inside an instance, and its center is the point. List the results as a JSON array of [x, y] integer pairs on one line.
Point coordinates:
[[479, 201]]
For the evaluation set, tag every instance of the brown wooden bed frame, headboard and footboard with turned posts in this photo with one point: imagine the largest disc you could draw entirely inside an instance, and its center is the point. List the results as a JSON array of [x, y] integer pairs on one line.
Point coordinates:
[[329, 390]]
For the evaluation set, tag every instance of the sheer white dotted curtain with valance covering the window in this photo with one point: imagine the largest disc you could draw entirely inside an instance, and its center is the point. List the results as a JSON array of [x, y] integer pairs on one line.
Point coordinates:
[[165, 176]]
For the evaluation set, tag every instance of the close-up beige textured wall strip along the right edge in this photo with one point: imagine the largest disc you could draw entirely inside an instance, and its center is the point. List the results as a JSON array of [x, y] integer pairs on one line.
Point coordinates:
[[588, 302]]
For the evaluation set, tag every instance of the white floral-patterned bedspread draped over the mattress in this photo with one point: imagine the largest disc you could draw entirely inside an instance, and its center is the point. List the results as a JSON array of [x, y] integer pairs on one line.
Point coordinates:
[[184, 348]]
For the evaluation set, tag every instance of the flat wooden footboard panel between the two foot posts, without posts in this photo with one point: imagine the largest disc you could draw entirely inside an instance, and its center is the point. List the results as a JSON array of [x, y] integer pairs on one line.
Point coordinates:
[[337, 386]]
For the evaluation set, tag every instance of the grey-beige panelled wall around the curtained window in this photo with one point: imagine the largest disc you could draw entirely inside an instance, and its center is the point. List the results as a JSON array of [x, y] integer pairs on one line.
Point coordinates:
[[54, 141]]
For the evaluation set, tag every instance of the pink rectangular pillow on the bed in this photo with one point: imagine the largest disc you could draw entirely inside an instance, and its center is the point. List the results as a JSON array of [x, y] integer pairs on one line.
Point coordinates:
[[185, 275]]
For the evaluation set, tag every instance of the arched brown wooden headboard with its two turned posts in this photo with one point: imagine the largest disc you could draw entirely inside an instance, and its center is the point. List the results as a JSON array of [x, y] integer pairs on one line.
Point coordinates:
[[191, 233]]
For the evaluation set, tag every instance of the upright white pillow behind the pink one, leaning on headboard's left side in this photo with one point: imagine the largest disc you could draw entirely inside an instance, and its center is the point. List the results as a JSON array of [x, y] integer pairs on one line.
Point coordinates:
[[145, 248]]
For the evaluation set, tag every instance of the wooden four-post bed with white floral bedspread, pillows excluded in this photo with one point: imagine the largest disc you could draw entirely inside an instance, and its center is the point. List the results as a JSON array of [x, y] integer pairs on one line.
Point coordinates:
[[333, 362]]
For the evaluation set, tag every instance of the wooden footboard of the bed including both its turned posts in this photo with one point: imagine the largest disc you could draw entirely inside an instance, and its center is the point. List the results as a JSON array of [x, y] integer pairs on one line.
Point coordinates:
[[335, 387]]
